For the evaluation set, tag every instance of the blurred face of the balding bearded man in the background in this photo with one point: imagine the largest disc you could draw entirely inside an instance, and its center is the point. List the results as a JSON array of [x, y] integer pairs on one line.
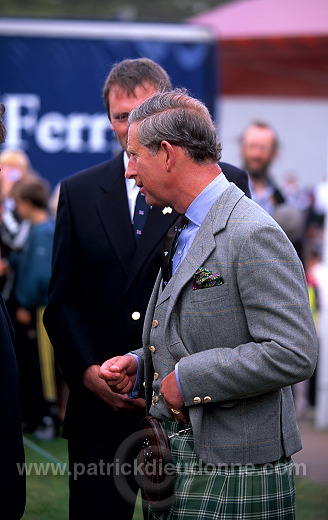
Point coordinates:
[[258, 151]]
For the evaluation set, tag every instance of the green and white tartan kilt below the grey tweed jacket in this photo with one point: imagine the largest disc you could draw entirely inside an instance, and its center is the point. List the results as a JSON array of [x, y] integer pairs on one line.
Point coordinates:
[[236, 492]]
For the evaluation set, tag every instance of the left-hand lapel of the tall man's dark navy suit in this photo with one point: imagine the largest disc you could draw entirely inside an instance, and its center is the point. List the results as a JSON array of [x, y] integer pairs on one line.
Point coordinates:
[[113, 210]]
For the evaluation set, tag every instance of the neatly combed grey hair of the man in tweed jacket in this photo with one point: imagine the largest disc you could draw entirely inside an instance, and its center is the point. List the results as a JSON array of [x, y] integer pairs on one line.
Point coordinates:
[[179, 119]]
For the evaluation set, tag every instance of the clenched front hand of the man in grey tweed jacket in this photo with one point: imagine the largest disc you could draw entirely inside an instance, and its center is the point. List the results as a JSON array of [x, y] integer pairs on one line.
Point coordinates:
[[119, 373]]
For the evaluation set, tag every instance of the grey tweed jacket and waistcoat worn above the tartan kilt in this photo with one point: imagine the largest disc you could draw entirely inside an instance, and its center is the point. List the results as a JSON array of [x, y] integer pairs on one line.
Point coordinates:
[[240, 344]]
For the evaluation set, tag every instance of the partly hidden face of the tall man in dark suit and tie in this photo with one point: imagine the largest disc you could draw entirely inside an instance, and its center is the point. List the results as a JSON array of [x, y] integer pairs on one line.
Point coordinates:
[[121, 104]]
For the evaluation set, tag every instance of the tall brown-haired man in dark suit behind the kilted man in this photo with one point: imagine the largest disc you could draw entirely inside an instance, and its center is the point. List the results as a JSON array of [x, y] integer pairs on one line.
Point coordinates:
[[103, 275]]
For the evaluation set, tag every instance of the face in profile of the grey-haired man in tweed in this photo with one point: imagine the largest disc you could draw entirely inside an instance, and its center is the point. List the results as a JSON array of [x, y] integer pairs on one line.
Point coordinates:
[[149, 171]]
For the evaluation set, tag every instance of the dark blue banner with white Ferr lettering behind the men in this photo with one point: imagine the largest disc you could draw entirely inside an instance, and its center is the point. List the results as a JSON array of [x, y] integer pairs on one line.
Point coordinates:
[[52, 89]]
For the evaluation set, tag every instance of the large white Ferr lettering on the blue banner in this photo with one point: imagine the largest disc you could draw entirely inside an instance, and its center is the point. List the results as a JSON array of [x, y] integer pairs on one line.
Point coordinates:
[[54, 132]]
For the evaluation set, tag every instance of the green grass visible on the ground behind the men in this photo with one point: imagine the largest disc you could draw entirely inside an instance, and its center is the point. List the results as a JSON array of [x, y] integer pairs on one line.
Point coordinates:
[[47, 495]]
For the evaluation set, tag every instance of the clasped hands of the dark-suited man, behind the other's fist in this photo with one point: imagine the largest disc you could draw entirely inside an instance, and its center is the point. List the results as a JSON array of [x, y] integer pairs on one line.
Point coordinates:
[[117, 402]]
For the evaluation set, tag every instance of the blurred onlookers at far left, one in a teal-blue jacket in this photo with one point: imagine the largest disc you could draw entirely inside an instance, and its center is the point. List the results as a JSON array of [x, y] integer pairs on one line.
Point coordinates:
[[28, 209]]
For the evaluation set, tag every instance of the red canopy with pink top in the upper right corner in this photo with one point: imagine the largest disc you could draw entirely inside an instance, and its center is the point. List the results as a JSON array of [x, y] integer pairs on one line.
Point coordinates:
[[271, 47]]
